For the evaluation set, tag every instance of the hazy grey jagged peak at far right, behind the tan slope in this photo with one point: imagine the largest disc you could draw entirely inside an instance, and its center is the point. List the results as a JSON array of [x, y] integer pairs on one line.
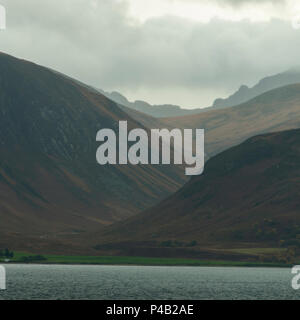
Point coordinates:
[[245, 93]]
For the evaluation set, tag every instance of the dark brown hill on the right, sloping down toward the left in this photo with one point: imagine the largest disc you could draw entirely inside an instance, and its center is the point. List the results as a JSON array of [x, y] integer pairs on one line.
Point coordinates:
[[248, 196]]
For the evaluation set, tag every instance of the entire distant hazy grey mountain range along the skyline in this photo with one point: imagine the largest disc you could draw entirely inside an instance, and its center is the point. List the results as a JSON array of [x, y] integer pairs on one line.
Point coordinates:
[[243, 95]]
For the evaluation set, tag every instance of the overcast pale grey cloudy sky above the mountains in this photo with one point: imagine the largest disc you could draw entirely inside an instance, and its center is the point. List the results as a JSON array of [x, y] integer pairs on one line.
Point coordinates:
[[185, 52]]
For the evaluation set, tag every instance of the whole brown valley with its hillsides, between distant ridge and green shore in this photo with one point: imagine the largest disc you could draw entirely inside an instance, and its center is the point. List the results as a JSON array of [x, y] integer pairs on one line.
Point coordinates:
[[55, 198]]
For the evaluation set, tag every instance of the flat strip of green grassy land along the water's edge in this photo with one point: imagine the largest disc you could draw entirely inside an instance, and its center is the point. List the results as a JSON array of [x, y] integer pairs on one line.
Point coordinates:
[[142, 261]]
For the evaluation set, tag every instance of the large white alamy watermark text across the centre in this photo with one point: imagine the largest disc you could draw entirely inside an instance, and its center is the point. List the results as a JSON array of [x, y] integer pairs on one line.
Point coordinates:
[[165, 147]]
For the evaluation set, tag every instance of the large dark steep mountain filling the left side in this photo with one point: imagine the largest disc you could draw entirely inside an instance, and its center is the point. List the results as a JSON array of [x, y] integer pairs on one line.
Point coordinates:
[[51, 185]]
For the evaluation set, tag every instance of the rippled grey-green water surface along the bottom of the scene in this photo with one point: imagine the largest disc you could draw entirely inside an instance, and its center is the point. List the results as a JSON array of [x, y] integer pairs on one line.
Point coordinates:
[[140, 282]]
